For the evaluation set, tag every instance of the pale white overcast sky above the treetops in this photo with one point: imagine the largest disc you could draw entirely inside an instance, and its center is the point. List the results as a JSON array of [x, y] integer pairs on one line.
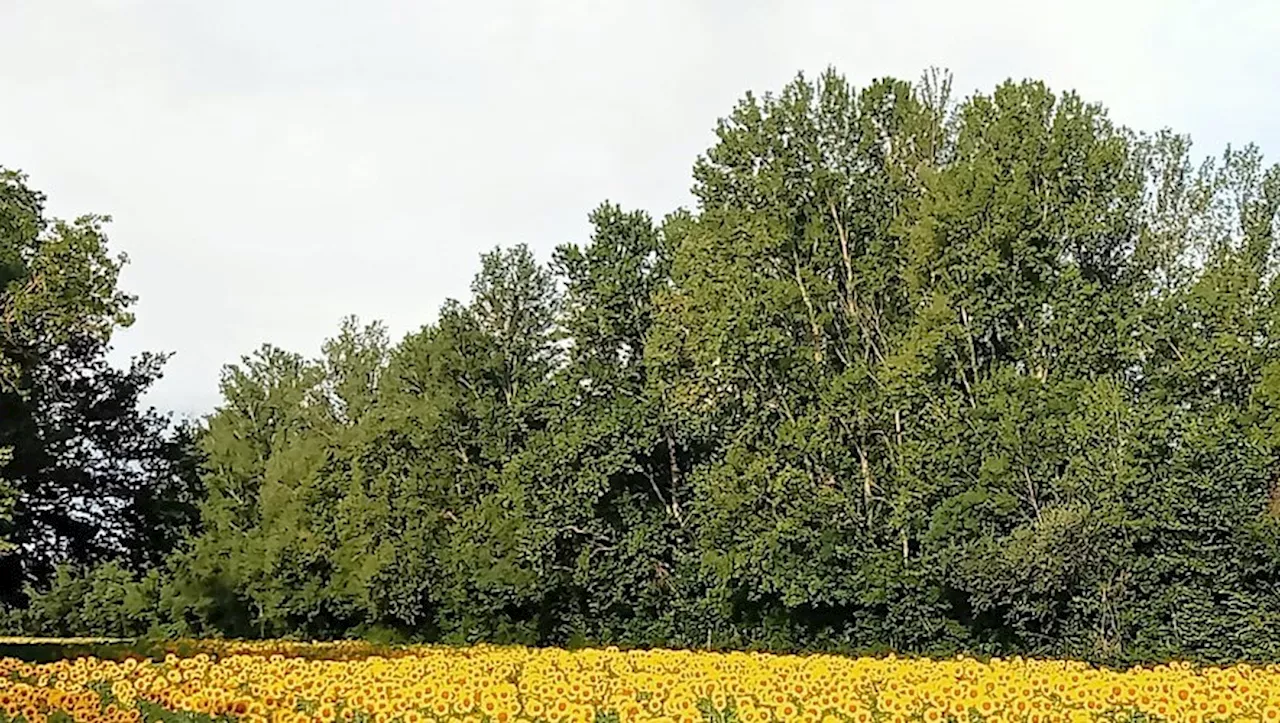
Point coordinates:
[[273, 166]]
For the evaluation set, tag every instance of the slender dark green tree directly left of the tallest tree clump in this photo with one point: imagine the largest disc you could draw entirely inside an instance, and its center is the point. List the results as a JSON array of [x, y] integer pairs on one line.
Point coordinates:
[[605, 478]]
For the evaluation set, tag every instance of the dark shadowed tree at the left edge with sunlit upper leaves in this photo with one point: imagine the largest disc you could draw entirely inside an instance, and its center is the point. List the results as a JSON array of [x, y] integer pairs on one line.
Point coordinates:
[[85, 463]]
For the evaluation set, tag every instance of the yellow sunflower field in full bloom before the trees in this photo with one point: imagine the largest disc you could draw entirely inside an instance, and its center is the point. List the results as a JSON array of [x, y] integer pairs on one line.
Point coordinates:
[[322, 683]]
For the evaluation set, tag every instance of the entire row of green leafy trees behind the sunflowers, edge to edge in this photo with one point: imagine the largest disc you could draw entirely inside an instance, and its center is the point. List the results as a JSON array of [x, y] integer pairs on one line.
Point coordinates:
[[917, 373]]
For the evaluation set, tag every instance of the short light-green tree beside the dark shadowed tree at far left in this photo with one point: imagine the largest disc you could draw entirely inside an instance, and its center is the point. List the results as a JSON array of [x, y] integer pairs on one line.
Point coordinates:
[[264, 565]]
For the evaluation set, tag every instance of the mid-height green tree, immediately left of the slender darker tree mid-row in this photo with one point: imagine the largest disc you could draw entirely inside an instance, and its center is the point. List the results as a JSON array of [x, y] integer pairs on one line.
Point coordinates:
[[468, 395]]
